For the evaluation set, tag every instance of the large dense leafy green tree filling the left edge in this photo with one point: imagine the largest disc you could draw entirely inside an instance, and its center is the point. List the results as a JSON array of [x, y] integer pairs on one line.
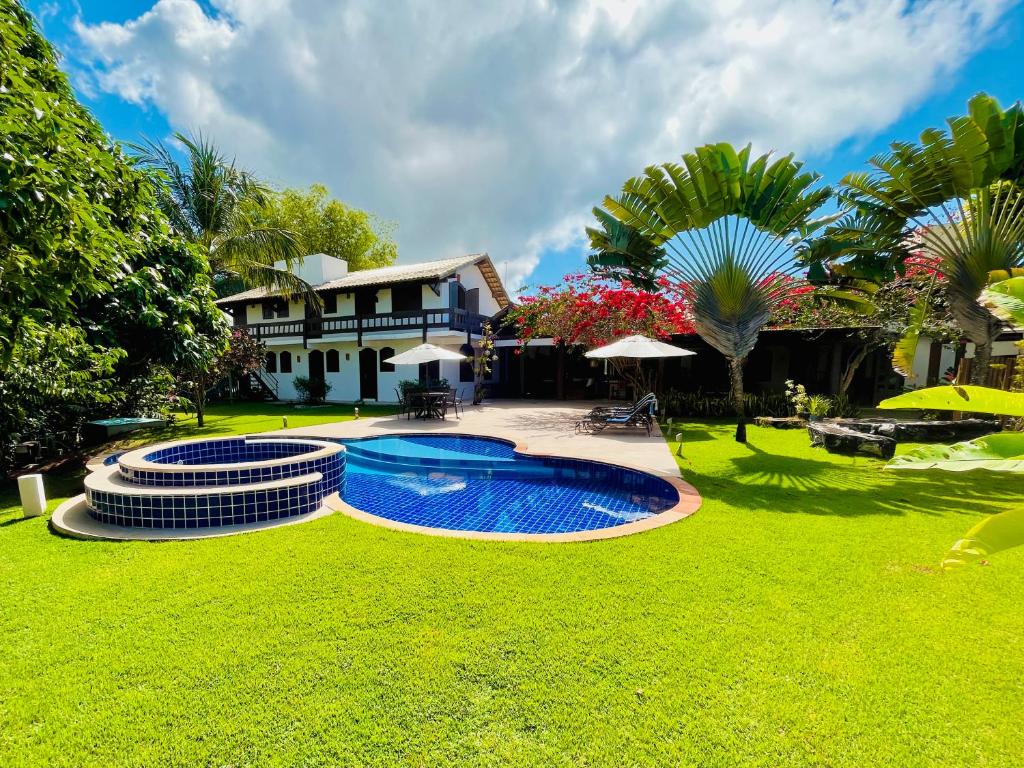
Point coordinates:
[[98, 296]]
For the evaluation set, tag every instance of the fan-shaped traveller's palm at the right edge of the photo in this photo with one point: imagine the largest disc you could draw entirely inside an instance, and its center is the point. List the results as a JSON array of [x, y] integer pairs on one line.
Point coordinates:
[[956, 195]]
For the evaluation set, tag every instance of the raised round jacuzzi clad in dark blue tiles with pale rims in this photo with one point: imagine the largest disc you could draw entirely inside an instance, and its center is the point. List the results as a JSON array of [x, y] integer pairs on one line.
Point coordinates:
[[216, 483]]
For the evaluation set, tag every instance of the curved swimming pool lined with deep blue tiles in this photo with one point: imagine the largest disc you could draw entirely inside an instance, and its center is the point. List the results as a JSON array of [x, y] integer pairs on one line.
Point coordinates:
[[481, 485]]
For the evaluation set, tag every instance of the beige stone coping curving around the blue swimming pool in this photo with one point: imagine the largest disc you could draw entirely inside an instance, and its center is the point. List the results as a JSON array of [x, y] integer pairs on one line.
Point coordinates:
[[690, 502]]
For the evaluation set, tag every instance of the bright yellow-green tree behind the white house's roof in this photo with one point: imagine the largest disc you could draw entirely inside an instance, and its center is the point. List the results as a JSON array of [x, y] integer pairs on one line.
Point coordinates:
[[323, 225]]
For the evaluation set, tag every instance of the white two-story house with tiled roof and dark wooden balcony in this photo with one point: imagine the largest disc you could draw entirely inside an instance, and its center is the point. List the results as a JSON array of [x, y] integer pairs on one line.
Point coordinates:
[[368, 317]]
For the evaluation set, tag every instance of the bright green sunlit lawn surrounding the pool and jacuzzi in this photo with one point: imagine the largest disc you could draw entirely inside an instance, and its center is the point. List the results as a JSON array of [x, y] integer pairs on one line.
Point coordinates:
[[798, 619]]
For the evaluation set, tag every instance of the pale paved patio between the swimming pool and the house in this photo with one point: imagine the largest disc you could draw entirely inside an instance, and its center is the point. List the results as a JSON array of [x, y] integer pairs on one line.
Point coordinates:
[[544, 426]]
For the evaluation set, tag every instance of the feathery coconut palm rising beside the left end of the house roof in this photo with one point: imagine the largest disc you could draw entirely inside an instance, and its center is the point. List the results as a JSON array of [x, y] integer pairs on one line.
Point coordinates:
[[217, 205]]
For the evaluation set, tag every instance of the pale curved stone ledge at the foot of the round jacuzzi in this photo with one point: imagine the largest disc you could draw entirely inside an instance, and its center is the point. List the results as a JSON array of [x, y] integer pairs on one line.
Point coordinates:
[[72, 520]]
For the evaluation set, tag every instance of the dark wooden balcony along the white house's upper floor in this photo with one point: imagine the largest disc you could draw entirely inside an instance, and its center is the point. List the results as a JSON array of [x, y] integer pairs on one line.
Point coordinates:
[[415, 320]]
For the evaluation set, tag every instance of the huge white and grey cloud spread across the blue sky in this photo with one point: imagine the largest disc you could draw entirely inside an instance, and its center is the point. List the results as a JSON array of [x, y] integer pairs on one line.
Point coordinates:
[[497, 126]]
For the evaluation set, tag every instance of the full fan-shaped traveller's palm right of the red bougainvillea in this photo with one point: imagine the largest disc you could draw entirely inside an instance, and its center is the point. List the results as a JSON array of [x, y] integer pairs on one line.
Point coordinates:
[[730, 228]]
